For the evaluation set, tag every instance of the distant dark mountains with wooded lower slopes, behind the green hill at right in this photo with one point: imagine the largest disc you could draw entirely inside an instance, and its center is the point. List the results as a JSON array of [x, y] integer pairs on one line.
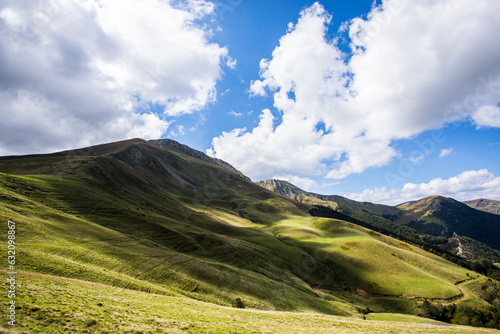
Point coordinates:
[[431, 218]]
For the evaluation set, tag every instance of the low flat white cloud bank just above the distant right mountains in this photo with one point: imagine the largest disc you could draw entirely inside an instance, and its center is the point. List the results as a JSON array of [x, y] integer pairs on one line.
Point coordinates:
[[465, 186]]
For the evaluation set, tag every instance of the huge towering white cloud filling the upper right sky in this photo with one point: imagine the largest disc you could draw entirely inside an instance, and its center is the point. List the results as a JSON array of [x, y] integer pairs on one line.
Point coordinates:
[[415, 66]]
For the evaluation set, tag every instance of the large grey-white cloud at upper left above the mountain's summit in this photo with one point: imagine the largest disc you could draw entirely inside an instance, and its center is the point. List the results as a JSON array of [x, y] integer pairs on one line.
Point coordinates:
[[75, 73]]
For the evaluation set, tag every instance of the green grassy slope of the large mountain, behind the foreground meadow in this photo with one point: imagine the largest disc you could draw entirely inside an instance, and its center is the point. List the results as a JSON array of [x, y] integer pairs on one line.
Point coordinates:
[[103, 219]]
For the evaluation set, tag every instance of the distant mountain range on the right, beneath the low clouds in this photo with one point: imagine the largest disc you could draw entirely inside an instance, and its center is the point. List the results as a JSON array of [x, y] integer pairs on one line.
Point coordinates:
[[436, 216]]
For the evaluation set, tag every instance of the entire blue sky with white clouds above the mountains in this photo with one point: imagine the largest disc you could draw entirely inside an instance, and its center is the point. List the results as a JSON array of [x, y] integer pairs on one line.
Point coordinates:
[[381, 101]]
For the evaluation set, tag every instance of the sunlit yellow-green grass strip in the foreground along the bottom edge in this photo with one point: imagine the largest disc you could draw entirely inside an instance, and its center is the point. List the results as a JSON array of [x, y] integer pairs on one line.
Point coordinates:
[[49, 304]]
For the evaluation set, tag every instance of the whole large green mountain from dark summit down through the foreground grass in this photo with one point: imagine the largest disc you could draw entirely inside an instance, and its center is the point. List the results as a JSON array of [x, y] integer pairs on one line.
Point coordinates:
[[153, 227]]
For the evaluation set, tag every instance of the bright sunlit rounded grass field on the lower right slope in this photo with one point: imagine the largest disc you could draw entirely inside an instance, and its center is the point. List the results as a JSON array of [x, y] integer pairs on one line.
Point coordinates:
[[392, 267]]
